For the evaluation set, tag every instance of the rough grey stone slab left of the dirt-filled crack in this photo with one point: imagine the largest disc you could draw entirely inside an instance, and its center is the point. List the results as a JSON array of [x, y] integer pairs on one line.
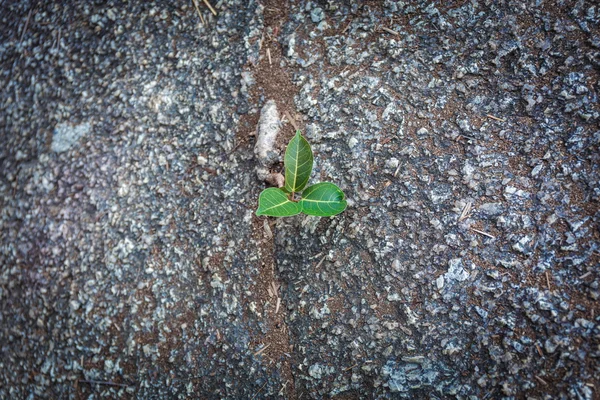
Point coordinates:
[[125, 253]]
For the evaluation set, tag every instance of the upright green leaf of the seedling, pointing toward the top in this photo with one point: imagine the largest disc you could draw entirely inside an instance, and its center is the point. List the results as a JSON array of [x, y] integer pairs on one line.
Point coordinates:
[[298, 163]]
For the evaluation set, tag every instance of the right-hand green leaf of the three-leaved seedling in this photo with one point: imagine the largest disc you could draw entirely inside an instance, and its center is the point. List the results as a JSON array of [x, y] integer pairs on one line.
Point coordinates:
[[323, 200]]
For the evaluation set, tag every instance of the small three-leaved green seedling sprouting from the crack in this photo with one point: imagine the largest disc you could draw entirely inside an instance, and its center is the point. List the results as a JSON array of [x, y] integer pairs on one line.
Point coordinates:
[[322, 199]]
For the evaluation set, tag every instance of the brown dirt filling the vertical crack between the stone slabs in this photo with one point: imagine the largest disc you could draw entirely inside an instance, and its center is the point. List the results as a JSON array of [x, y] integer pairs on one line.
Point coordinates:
[[272, 82]]
